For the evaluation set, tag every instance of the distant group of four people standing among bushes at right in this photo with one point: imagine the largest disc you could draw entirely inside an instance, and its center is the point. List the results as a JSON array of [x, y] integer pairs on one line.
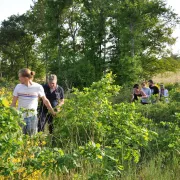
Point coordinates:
[[145, 93]]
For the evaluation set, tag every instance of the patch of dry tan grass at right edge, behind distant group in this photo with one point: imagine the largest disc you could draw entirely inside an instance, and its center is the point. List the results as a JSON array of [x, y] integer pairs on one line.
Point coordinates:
[[168, 78]]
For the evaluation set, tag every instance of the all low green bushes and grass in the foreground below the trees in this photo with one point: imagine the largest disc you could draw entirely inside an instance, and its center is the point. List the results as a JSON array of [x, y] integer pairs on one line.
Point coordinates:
[[95, 139]]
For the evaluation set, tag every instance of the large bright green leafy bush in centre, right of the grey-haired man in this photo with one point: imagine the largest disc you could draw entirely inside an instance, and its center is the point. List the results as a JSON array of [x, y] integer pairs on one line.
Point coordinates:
[[89, 116]]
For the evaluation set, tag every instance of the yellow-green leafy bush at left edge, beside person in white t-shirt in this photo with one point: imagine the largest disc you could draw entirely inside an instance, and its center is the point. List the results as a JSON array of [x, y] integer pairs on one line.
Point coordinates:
[[10, 140]]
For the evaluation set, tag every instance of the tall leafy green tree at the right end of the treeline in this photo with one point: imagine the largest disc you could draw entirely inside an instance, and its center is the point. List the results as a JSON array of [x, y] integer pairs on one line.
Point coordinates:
[[140, 30]]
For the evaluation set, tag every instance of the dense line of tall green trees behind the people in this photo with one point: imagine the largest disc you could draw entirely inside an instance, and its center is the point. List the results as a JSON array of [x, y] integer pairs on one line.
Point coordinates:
[[80, 40]]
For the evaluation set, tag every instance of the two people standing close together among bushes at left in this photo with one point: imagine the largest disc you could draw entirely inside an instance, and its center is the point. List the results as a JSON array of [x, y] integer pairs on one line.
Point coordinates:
[[28, 93]]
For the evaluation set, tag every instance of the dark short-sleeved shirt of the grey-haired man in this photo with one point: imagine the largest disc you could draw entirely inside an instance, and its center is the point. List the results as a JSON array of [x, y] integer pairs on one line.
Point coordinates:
[[53, 97]]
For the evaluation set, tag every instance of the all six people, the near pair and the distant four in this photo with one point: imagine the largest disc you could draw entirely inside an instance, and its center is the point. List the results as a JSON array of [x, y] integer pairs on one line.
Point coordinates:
[[27, 93]]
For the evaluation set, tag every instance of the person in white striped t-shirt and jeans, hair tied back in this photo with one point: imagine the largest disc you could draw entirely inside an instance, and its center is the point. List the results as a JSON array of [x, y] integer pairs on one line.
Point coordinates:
[[27, 94]]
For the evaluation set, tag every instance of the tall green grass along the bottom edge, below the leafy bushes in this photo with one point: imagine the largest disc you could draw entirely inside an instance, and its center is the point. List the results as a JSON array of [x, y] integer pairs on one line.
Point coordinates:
[[154, 169]]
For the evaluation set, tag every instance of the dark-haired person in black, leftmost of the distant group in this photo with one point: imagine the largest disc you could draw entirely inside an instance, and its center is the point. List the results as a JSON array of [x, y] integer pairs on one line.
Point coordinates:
[[137, 93]]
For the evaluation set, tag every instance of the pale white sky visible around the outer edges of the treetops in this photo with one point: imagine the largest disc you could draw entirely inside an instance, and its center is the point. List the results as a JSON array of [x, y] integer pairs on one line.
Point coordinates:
[[10, 7]]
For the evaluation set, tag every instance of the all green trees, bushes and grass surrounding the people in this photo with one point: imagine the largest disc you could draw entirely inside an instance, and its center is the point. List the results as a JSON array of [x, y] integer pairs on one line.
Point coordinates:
[[98, 134]]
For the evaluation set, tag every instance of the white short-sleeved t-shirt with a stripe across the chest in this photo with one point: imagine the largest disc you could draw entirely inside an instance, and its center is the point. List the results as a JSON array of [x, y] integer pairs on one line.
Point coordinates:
[[28, 97]]
